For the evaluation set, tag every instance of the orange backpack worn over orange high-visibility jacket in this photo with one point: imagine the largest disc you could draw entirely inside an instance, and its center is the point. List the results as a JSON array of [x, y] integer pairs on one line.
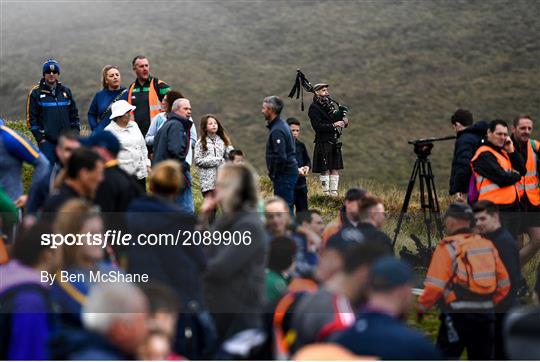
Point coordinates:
[[475, 265]]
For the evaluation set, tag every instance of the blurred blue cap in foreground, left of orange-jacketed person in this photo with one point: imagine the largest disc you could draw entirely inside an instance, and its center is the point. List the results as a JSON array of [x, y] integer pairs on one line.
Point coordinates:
[[389, 272]]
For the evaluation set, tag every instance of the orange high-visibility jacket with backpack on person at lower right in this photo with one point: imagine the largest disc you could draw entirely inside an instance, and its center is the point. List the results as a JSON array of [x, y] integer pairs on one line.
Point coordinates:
[[448, 276]]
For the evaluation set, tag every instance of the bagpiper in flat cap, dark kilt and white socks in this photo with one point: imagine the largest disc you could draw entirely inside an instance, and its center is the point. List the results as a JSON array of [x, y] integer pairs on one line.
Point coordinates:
[[327, 158]]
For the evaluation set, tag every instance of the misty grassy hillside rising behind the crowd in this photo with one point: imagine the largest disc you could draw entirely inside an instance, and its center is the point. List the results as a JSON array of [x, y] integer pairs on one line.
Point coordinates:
[[403, 67]]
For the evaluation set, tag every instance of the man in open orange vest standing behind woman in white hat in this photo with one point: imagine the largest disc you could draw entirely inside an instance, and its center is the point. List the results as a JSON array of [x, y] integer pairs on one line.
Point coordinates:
[[146, 93]]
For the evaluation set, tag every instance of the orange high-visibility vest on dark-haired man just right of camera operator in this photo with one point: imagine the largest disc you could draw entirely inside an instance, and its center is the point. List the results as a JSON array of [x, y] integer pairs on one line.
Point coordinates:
[[488, 190]]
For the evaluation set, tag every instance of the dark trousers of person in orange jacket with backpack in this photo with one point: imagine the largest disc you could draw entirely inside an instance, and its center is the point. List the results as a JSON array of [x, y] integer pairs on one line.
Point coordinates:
[[475, 332]]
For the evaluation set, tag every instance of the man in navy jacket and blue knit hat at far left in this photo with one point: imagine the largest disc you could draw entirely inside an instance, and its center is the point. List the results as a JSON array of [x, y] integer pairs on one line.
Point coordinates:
[[50, 109]]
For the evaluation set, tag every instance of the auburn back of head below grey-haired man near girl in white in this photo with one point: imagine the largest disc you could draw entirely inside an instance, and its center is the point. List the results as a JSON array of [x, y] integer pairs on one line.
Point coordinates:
[[166, 178]]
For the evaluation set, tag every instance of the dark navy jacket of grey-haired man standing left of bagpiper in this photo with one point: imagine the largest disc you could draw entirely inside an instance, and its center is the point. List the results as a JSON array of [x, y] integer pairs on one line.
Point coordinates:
[[280, 149]]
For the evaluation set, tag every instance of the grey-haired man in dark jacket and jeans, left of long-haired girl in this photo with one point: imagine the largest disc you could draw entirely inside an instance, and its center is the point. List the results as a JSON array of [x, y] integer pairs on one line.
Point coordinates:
[[173, 142]]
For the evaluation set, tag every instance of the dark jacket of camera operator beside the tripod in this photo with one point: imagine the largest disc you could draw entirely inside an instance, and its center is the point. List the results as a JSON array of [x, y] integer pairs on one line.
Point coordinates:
[[467, 143]]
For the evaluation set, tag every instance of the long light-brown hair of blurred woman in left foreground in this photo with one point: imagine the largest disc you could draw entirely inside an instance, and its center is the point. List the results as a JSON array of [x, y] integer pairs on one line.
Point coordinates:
[[70, 220]]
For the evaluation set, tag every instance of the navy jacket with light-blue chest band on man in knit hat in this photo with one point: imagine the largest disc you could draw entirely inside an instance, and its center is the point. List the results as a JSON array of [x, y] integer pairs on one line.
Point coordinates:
[[48, 114]]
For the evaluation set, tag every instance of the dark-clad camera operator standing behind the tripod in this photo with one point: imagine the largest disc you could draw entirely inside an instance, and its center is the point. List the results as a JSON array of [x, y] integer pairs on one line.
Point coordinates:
[[468, 138]]
